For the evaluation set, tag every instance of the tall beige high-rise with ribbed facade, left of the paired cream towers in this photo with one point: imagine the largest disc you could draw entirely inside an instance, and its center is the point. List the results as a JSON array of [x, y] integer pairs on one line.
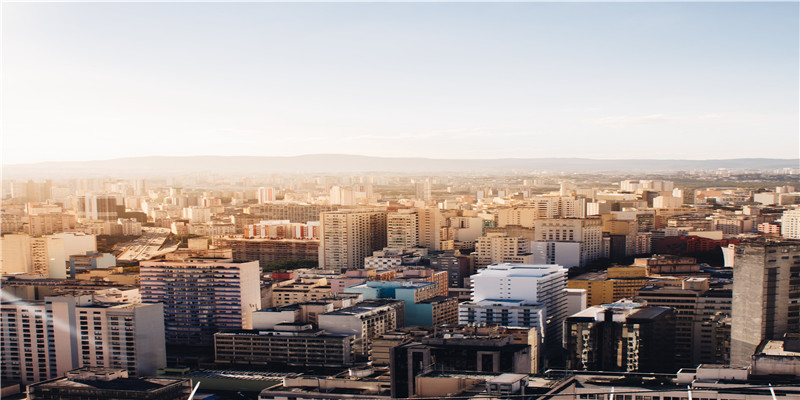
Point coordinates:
[[349, 236]]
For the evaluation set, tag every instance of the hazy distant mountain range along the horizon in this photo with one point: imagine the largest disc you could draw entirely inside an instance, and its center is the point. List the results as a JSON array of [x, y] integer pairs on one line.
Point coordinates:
[[340, 163]]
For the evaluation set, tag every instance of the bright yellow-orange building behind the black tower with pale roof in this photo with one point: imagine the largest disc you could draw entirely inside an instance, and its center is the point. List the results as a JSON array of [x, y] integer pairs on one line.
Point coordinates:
[[613, 284]]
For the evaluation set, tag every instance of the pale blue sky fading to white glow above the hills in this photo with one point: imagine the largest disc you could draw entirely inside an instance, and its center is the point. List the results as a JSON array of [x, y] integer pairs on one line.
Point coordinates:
[[88, 81]]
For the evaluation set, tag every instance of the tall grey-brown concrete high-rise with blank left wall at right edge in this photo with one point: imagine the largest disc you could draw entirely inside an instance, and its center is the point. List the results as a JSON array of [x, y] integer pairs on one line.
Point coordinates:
[[766, 294]]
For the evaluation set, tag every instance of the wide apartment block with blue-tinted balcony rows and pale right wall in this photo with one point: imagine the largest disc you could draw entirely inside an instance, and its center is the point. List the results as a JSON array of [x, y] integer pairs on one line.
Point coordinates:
[[202, 296]]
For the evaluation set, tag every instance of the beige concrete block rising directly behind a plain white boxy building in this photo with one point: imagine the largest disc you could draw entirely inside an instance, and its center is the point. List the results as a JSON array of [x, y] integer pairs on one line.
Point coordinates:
[[587, 231]]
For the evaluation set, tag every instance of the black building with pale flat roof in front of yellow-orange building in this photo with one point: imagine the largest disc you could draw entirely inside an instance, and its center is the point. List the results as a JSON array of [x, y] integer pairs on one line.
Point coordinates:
[[622, 336]]
